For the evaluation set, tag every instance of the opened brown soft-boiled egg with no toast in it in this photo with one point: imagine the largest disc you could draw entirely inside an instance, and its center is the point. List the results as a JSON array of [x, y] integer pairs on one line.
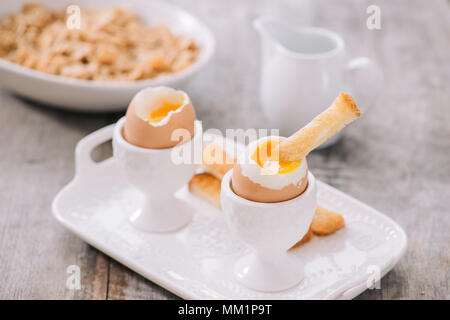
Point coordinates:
[[153, 115]]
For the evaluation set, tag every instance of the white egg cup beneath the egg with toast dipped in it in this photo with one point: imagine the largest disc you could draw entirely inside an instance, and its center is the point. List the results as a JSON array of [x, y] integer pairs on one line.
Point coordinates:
[[270, 229]]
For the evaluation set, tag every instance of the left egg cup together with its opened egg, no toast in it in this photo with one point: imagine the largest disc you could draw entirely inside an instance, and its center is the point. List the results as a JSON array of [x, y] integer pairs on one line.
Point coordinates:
[[146, 152]]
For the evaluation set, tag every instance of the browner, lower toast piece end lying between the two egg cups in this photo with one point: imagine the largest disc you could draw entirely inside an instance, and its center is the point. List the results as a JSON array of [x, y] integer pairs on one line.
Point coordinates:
[[206, 187]]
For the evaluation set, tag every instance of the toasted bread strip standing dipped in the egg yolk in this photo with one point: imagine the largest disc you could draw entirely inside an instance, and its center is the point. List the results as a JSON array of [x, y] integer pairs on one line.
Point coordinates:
[[342, 111]]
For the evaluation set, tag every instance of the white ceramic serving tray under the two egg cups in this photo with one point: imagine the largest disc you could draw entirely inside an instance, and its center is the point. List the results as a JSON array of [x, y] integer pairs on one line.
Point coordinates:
[[196, 262]]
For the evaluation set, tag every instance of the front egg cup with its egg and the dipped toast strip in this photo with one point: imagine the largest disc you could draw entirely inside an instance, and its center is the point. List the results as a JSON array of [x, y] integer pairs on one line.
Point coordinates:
[[269, 198]]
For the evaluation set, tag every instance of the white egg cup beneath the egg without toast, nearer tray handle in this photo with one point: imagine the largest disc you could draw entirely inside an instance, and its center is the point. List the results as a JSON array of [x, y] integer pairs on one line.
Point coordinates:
[[154, 172]]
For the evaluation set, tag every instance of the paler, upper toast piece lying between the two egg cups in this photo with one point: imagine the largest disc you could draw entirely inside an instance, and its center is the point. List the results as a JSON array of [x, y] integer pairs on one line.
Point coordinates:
[[216, 161]]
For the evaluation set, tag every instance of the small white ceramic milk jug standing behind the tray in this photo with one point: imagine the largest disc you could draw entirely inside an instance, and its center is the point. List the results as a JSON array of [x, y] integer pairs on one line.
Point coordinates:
[[304, 69]]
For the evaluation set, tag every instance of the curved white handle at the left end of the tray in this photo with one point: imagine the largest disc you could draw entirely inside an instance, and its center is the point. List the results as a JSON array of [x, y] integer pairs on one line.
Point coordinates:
[[84, 165]]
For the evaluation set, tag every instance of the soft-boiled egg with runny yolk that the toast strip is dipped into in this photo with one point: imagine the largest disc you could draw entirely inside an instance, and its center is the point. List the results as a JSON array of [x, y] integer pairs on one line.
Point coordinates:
[[260, 176]]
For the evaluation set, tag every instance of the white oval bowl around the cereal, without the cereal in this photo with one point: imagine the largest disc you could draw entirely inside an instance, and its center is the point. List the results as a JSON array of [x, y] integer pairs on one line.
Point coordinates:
[[90, 95]]
